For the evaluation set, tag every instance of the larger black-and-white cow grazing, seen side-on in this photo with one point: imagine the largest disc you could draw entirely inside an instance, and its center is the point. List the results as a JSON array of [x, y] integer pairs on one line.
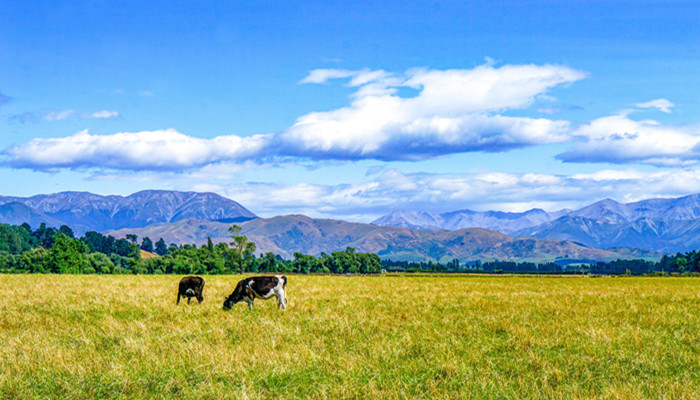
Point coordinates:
[[259, 286]]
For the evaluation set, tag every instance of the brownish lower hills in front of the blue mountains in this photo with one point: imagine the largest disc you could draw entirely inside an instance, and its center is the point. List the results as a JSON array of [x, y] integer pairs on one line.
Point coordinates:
[[288, 234]]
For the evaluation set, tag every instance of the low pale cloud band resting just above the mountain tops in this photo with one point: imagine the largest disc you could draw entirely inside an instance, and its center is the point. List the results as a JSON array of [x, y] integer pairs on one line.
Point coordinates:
[[392, 190]]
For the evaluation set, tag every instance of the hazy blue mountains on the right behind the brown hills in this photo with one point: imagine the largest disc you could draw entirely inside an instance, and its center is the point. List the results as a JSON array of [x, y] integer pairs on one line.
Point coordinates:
[[664, 225]]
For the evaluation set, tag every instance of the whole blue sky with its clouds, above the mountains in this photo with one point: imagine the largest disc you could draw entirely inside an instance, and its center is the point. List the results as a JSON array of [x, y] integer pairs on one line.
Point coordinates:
[[353, 110]]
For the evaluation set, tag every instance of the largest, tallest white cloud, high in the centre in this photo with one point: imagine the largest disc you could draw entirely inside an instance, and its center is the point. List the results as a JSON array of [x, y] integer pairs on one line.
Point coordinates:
[[451, 111]]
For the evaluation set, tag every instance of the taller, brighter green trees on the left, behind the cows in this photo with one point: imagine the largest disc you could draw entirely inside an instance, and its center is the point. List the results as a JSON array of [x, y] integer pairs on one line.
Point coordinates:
[[51, 250]]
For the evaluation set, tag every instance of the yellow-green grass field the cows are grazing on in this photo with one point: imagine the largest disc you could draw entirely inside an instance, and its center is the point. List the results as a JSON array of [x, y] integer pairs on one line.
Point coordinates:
[[374, 337]]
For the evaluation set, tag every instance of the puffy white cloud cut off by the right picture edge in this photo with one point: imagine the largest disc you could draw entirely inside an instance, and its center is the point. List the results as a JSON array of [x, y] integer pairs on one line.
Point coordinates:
[[621, 140]]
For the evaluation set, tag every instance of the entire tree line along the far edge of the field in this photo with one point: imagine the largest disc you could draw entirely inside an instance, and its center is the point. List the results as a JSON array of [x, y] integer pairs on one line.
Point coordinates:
[[51, 250]]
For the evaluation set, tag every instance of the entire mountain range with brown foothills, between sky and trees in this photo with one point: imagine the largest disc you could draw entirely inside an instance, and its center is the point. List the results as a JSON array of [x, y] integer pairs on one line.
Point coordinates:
[[656, 225]]
